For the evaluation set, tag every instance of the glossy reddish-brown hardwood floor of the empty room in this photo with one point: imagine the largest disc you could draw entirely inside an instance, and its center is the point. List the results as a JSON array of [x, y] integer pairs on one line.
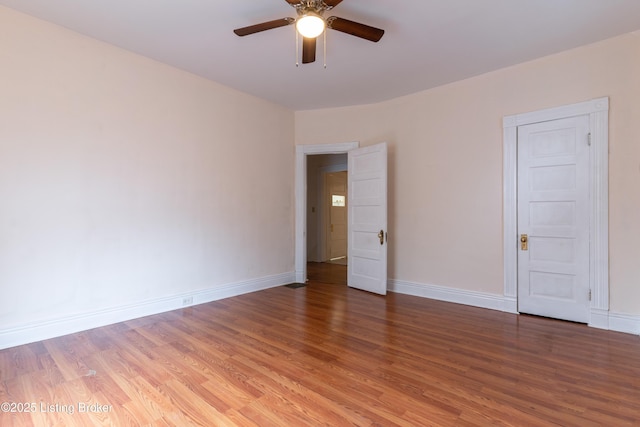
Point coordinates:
[[326, 354]]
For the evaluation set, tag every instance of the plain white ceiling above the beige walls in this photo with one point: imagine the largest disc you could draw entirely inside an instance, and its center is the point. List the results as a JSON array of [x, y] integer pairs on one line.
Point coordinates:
[[427, 42]]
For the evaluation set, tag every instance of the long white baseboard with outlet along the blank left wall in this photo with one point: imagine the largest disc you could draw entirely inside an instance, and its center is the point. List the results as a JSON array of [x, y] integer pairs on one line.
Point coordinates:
[[38, 331]]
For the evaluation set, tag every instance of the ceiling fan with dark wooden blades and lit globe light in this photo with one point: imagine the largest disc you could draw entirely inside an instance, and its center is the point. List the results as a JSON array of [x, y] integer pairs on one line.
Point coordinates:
[[311, 23]]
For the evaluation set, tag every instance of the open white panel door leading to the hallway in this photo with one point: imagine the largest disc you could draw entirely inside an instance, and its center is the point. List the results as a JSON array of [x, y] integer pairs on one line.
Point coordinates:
[[367, 212]]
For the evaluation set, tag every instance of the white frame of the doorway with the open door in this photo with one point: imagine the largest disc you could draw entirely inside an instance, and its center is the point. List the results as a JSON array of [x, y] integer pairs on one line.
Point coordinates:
[[302, 151]]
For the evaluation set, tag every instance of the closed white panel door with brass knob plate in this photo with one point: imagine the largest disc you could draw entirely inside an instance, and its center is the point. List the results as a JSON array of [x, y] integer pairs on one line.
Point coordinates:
[[553, 219]]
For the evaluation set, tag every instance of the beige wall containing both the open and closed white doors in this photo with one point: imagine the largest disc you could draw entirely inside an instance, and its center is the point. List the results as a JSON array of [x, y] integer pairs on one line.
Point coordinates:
[[445, 170]]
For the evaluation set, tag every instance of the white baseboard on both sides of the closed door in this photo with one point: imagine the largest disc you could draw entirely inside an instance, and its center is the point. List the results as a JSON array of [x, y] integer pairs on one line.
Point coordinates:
[[601, 319]]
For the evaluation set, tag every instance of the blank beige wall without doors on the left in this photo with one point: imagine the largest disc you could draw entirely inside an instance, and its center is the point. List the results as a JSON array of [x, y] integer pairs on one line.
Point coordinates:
[[123, 180]]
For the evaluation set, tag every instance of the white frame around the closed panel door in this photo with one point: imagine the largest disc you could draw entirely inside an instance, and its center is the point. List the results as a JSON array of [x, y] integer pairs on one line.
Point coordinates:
[[598, 111]]
